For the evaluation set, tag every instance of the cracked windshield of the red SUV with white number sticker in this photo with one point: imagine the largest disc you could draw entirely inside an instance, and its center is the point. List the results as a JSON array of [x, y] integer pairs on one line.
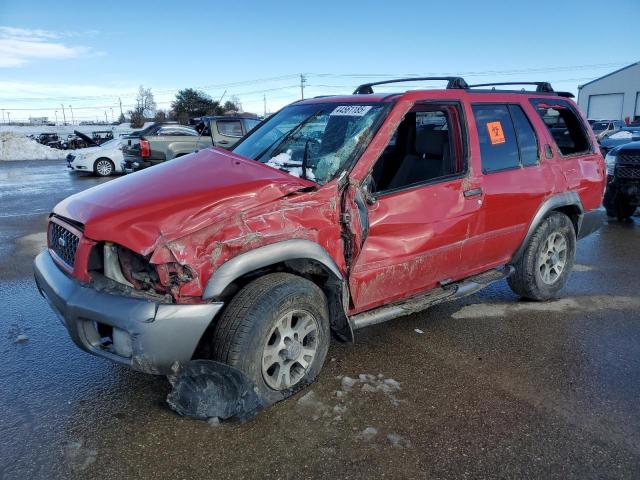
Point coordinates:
[[323, 136]]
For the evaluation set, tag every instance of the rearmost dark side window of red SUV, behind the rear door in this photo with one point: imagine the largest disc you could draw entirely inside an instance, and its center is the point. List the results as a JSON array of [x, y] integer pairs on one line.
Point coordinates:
[[564, 124]]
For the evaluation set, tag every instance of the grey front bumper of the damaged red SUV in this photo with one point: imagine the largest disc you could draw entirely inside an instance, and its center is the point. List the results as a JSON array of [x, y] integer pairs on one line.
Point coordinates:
[[145, 335]]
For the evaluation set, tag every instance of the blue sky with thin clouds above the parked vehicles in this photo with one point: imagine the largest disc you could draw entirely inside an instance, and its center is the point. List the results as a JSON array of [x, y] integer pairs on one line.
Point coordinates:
[[89, 54]]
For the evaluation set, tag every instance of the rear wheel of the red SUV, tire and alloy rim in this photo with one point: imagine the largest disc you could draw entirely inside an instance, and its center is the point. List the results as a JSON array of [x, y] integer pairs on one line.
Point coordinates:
[[533, 277]]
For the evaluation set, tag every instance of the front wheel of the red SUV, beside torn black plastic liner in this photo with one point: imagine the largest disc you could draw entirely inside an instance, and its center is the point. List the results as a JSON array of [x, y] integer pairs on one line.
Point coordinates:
[[253, 330]]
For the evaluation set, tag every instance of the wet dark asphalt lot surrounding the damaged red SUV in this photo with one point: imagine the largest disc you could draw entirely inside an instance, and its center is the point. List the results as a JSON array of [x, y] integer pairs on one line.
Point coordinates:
[[493, 387]]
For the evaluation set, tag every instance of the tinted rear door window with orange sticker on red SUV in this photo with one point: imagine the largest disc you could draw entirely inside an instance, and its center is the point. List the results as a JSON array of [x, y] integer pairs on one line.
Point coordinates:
[[498, 145]]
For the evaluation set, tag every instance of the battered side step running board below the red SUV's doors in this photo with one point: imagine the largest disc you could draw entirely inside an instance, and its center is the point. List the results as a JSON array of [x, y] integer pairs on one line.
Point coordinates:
[[449, 292]]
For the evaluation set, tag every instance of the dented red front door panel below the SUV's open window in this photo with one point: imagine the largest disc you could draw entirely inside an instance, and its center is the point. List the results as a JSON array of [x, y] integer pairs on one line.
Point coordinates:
[[414, 242]]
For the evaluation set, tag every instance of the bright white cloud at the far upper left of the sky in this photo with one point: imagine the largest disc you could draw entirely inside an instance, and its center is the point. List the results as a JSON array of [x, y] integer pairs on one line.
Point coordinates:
[[19, 46]]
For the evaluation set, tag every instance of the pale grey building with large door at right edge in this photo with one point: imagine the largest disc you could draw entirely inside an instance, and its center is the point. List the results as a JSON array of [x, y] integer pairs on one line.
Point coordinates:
[[614, 96]]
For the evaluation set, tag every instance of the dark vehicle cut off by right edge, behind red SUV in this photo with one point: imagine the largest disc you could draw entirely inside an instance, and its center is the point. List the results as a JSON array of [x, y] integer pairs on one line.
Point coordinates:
[[623, 180]]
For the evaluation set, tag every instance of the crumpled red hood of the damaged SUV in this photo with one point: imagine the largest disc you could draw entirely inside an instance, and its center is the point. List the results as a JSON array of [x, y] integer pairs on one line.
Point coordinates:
[[176, 198]]
